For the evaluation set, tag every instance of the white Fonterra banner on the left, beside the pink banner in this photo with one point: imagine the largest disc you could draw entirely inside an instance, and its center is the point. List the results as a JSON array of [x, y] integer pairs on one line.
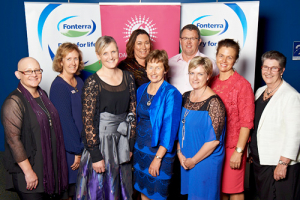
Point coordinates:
[[49, 25]]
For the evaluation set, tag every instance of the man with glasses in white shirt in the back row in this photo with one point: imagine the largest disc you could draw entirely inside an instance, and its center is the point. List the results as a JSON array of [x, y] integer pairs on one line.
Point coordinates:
[[178, 72]]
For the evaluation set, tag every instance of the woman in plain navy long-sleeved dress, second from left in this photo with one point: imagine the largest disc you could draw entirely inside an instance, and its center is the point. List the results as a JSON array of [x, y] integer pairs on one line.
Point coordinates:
[[65, 94]]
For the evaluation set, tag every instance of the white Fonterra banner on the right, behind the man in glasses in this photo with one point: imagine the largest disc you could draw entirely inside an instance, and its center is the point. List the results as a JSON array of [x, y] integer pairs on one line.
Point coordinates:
[[217, 21]]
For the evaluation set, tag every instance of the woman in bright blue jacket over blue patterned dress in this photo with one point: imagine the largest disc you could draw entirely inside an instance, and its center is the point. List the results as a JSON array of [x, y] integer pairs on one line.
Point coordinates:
[[158, 111]]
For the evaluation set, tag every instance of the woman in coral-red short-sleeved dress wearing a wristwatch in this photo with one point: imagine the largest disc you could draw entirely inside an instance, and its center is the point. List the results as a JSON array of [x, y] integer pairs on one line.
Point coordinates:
[[237, 95]]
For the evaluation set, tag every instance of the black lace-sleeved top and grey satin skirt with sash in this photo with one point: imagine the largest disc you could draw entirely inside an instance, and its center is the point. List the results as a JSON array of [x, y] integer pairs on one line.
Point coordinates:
[[105, 133]]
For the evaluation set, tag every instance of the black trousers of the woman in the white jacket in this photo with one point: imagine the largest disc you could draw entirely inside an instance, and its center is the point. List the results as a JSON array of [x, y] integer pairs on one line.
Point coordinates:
[[269, 189]]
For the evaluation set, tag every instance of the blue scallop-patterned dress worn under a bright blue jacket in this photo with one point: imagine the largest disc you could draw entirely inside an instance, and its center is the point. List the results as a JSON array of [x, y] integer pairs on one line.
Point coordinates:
[[152, 187]]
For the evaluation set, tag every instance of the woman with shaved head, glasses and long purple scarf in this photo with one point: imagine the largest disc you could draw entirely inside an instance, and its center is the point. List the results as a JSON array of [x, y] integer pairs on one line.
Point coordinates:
[[34, 156]]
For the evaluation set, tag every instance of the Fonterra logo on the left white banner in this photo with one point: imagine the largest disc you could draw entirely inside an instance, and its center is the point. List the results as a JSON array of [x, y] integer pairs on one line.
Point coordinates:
[[75, 26]]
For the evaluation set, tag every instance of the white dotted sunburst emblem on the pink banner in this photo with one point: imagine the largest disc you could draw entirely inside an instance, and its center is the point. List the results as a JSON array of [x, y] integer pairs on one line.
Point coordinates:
[[140, 23]]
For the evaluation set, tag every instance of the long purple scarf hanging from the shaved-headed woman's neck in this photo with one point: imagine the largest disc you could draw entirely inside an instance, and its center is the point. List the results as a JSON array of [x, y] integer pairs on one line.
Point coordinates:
[[62, 173]]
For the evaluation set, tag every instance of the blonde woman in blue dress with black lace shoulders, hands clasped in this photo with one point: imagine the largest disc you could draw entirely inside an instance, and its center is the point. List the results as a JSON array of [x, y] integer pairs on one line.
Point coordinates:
[[201, 135]]
